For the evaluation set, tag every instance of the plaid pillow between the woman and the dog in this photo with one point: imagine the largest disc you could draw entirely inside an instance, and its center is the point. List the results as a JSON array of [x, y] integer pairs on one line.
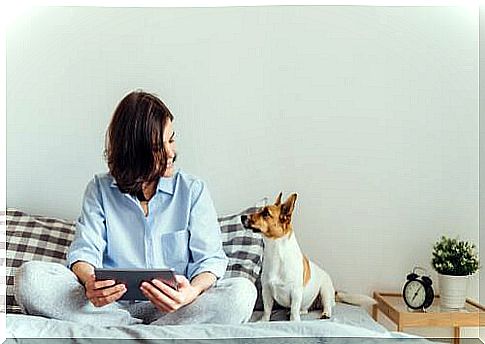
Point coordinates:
[[243, 247]]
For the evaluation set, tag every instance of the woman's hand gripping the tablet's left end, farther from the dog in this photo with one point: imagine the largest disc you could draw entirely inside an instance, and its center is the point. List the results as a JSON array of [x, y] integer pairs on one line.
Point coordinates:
[[98, 293]]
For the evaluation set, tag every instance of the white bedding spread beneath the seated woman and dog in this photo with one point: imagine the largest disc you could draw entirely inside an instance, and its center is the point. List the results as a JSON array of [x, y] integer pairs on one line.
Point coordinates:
[[347, 322]]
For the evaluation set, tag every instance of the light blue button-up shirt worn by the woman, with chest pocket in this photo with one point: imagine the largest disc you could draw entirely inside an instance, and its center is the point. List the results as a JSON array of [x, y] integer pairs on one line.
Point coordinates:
[[180, 232]]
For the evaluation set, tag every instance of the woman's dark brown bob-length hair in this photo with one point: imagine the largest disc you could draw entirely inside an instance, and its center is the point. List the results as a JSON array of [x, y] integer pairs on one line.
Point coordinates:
[[134, 141]]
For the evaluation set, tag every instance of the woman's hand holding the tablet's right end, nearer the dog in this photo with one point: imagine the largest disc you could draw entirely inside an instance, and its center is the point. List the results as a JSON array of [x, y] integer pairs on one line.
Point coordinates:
[[167, 299]]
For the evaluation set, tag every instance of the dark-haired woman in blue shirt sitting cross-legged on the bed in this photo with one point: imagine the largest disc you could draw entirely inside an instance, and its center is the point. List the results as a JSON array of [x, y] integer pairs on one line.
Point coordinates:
[[144, 213]]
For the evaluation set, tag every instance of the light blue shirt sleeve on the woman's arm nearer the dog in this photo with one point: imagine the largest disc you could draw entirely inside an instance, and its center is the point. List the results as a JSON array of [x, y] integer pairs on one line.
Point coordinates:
[[205, 244]]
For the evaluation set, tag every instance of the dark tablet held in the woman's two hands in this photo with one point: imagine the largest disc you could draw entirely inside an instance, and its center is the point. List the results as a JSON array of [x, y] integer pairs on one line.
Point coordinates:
[[133, 278]]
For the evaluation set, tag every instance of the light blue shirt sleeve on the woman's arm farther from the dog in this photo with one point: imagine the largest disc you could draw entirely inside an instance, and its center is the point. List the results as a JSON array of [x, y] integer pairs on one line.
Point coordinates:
[[90, 237]]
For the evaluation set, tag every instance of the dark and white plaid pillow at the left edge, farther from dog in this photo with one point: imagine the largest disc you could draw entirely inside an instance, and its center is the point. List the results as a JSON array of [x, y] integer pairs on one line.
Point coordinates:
[[33, 238]]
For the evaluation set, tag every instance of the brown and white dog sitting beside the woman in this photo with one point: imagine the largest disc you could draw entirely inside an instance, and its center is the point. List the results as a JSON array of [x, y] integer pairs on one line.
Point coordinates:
[[288, 276]]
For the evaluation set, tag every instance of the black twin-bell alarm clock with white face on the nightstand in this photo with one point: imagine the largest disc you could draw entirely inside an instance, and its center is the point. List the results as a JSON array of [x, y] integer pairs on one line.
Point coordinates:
[[417, 291]]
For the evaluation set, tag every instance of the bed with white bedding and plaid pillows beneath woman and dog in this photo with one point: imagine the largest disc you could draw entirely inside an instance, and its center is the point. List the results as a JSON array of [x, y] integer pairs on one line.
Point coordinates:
[[45, 238]]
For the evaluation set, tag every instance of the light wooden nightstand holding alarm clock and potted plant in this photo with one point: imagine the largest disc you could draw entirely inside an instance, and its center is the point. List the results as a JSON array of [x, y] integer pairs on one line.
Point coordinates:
[[393, 306]]
